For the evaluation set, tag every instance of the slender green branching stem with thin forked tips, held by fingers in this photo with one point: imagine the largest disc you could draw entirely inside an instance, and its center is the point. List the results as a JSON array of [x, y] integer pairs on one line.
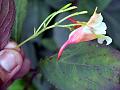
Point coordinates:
[[43, 27]]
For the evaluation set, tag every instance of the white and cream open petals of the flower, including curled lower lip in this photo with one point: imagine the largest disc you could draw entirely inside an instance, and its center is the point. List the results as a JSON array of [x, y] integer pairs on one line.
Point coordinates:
[[98, 27]]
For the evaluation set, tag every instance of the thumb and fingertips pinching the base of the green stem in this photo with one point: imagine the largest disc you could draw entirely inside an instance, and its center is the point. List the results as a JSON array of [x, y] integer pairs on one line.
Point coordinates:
[[13, 64]]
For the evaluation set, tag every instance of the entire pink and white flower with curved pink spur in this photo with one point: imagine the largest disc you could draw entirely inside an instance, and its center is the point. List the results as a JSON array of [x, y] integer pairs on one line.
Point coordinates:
[[95, 28]]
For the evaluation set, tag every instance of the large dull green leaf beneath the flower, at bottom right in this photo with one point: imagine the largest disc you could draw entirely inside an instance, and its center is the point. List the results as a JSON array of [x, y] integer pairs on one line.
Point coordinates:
[[84, 67]]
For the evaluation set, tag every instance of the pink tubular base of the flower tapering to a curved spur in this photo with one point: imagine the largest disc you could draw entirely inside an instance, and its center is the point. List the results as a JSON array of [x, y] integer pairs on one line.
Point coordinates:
[[81, 34]]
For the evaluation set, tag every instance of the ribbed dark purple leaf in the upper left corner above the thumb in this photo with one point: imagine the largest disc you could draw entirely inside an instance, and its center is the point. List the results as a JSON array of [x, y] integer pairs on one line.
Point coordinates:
[[7, 16]]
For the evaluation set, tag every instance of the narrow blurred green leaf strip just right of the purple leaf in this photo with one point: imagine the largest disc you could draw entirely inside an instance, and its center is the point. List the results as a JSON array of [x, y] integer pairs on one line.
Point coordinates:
[[21, 8]]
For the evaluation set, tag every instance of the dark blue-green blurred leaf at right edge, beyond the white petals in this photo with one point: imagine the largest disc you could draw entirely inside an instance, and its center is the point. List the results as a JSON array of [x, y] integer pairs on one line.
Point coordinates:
[[112, 19]]
